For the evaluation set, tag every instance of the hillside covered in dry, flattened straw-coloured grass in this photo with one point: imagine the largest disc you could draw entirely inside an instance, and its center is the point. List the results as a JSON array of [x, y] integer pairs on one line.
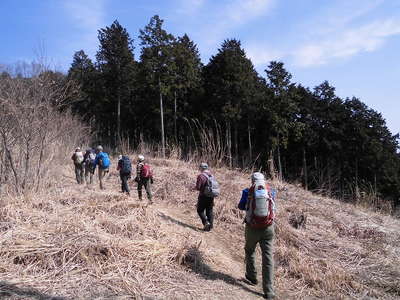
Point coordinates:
[[76, 242]]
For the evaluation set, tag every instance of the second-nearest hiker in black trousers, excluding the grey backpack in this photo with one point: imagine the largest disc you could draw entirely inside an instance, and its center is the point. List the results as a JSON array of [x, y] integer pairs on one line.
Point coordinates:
[[204, 204]]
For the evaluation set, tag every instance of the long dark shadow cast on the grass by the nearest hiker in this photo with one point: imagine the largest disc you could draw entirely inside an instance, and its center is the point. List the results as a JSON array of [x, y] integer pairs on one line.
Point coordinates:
[[194, 260]]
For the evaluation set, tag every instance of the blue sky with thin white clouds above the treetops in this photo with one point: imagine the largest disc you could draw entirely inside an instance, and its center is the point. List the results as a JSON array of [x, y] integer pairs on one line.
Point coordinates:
[[354, 44]]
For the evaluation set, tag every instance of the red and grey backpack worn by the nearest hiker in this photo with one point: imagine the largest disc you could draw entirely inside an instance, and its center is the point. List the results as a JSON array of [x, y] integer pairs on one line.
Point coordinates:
[[262, 206]]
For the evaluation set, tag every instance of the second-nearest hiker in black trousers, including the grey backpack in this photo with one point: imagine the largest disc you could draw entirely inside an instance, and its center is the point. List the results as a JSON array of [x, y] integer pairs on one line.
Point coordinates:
[[208, 189]]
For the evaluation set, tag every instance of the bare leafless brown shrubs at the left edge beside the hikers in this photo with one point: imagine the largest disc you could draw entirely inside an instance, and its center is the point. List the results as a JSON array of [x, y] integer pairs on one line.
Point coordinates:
[[35, 130]]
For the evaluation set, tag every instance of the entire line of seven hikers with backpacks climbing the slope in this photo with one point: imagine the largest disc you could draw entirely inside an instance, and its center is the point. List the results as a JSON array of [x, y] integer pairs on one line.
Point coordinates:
[[258, 202]]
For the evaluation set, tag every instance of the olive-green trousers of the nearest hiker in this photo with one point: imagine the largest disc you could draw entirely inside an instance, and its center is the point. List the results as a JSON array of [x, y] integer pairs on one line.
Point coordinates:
[[265, 237]]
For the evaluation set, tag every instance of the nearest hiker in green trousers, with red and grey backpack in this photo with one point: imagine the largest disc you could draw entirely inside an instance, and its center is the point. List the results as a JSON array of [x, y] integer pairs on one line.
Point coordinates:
[[258, 202]]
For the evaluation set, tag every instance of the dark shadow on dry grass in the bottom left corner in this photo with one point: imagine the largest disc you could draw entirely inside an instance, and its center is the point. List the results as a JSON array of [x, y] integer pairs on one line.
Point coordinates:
[[8, 290]]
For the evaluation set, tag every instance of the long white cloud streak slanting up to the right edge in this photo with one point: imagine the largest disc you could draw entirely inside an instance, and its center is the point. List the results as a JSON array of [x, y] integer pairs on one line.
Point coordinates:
[[345, 44]]
